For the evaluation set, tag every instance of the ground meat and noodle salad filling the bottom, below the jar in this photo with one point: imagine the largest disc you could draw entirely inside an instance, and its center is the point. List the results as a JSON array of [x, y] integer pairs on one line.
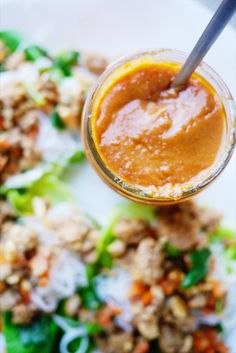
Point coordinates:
[[131, 287]]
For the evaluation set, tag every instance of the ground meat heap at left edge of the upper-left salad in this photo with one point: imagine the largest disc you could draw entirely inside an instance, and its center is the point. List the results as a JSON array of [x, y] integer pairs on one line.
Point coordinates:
[[19, 122]]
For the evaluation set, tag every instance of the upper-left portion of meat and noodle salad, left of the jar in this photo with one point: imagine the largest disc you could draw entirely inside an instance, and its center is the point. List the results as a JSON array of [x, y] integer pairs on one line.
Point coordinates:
[[41, 100]]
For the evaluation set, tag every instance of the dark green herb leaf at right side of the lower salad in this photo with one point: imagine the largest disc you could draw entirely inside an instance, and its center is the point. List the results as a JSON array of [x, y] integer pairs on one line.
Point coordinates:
[[199, 262]]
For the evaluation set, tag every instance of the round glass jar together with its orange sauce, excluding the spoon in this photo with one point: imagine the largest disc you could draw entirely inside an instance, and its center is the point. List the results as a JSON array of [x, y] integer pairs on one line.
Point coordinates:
[[153, 144]]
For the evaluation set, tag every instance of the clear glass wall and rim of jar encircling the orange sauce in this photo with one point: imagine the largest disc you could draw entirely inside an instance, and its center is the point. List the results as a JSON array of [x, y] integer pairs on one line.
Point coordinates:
[[135, 193]]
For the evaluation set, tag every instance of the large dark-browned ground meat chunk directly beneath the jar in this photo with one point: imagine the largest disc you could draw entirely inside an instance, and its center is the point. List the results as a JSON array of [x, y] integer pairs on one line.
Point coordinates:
[[180, 224]]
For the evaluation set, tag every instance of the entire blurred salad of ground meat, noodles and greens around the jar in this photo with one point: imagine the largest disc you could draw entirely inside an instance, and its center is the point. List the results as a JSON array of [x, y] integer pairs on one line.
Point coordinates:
[[151, 280]]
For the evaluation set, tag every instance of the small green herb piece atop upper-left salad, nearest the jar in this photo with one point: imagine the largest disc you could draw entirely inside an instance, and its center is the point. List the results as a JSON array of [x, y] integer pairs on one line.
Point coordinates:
[[65, 61]]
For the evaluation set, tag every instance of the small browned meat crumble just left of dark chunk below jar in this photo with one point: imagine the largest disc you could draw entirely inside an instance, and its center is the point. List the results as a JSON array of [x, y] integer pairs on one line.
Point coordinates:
[[131, 231]]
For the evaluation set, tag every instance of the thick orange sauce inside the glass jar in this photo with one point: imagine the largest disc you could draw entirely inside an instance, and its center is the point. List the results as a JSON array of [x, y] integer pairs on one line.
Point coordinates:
[[150, 136]]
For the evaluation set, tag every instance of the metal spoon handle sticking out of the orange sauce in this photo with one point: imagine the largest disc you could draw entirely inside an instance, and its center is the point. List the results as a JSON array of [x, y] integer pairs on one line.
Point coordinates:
[[207, 39]]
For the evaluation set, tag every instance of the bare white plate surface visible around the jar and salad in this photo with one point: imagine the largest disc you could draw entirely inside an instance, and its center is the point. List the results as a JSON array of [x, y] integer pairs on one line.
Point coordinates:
[[118, 27]]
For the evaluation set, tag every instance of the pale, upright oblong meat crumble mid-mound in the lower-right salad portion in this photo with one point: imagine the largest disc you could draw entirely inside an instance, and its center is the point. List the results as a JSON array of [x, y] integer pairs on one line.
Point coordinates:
[[148, 261]]
